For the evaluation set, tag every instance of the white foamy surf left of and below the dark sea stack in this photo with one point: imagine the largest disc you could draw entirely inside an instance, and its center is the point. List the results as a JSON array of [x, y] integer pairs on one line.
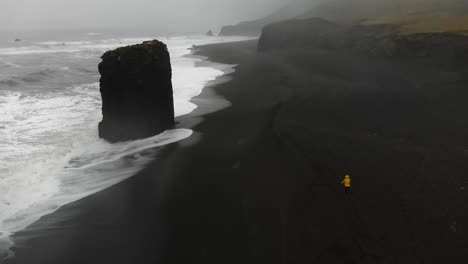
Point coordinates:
[[55, 157]]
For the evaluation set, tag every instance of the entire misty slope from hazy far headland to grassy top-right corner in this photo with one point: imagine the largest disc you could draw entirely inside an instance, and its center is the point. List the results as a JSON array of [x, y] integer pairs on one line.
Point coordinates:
[[411, 16]]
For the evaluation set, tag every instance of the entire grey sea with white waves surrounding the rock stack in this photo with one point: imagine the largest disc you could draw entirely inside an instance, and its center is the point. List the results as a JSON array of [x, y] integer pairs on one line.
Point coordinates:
[[50, 105]]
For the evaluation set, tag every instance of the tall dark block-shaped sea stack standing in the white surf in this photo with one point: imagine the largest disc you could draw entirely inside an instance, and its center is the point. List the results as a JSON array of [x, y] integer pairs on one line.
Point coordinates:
[[136, 91]]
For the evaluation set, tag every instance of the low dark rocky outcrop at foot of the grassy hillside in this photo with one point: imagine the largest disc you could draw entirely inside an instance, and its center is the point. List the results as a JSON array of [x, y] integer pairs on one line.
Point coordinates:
[[373, 40]]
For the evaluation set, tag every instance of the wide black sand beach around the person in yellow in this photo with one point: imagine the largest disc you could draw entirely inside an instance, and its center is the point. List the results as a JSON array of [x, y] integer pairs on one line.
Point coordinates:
[[259, 182]]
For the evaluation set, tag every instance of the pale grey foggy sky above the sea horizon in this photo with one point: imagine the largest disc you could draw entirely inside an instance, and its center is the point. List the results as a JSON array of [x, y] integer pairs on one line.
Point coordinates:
[[164, 15]]
